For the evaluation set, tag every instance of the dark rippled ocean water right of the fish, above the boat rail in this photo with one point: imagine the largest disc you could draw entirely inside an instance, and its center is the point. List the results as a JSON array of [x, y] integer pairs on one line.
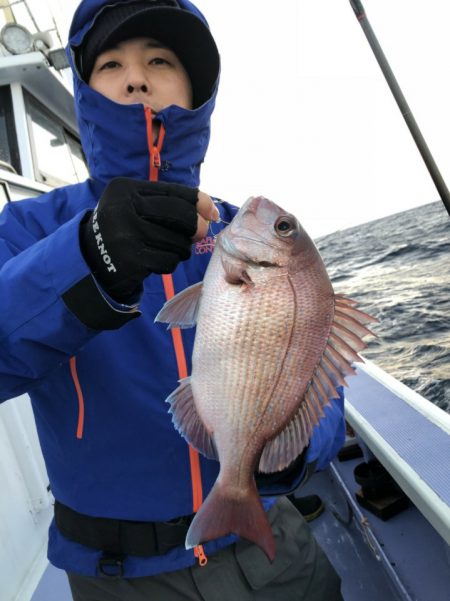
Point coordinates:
[[398, 269]]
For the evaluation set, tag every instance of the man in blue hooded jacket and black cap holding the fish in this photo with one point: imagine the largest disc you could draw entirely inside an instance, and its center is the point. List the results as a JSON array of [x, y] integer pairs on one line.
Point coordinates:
[[82, 265]]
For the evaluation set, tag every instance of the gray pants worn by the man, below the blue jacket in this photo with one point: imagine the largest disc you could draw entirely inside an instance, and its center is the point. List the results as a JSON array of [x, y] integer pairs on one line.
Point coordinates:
[[300, 572]]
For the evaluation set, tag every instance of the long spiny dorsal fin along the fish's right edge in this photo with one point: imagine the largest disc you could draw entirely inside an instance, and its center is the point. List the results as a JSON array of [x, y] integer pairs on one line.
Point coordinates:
[[341, 350]]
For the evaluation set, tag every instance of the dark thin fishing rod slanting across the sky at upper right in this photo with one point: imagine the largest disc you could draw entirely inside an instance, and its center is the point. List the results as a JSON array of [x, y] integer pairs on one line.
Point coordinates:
[[402, 104]]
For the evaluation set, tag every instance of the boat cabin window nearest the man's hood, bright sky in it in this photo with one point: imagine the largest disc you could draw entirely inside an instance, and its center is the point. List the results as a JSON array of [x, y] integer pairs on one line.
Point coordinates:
[[57, 154]]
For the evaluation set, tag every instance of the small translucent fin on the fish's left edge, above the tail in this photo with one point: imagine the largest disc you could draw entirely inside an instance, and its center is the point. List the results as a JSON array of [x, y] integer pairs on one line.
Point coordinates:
[[187, 421]]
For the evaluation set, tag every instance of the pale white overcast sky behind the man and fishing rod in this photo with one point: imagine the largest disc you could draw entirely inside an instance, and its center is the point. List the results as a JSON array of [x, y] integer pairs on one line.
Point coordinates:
[[304, 115]]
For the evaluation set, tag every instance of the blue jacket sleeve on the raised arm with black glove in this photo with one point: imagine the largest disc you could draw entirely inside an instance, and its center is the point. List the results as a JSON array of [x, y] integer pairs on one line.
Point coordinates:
[[39, 330]]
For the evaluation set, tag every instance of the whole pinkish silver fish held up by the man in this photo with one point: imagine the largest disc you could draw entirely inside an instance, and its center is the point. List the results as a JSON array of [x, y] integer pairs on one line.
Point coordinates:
[[272, 343]]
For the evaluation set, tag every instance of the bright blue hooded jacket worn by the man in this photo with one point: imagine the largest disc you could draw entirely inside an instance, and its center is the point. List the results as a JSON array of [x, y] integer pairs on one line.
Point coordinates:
[[117, 455]]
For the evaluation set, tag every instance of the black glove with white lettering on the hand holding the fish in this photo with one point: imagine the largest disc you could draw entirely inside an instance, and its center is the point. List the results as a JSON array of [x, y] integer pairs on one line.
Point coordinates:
[[138, 228]]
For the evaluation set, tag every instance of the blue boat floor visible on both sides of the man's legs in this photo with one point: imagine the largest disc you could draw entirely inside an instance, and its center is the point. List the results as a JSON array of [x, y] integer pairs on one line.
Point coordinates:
[[419, 556]]
